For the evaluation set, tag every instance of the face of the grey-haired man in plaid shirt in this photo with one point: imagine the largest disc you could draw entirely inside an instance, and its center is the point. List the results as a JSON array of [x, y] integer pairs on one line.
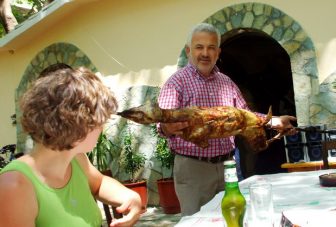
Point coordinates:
[[203, 52]]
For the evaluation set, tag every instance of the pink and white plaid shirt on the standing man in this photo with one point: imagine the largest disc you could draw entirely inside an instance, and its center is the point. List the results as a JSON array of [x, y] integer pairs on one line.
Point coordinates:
[[186, 88]]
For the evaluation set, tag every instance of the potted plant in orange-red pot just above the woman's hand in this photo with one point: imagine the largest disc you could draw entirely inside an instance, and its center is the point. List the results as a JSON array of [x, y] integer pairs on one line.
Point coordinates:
[[131, 162]]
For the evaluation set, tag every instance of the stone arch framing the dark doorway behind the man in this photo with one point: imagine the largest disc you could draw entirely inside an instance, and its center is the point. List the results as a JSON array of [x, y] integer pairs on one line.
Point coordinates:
[[287, 32]]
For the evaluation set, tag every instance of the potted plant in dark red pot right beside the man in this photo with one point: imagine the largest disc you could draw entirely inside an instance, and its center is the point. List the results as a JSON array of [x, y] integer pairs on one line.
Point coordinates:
[[168, 199]]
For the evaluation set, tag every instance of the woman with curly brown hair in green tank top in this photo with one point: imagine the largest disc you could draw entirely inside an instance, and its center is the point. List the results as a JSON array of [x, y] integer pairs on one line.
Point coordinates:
[[55, 184]]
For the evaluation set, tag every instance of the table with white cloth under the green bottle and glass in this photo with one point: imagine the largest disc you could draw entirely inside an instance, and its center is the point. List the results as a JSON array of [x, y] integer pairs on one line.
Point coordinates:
[[296, 191]]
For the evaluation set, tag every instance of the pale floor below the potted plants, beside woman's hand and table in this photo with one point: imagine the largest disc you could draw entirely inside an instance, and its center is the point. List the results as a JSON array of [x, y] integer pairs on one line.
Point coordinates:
[[154, 217]]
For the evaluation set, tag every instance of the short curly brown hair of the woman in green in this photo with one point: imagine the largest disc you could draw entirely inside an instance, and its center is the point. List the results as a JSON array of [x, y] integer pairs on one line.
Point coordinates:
[[64, 106]]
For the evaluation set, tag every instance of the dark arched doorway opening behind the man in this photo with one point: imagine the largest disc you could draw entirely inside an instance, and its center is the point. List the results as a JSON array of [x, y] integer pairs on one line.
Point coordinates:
[[261, 68]]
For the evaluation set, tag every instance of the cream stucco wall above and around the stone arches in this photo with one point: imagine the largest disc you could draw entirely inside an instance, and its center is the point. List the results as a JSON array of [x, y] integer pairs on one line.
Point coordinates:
[[138, 42]]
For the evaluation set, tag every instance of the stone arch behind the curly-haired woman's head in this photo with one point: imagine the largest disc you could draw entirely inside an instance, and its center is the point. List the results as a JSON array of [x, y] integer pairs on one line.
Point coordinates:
[[55, 53]]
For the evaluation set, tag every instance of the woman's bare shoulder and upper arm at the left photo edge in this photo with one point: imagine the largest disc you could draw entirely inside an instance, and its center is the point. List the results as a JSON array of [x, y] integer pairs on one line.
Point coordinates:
[[18, 200]]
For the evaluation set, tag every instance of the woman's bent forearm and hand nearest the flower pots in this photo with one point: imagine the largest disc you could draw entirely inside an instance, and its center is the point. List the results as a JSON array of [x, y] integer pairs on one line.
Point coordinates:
[[111, 191]]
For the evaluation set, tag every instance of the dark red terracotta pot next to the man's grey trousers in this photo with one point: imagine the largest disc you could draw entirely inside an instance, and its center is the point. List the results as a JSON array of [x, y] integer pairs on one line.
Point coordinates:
[[168, 199]]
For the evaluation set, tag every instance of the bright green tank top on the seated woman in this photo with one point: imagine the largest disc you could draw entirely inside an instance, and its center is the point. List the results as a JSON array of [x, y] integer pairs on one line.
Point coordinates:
[[70, 206]]
